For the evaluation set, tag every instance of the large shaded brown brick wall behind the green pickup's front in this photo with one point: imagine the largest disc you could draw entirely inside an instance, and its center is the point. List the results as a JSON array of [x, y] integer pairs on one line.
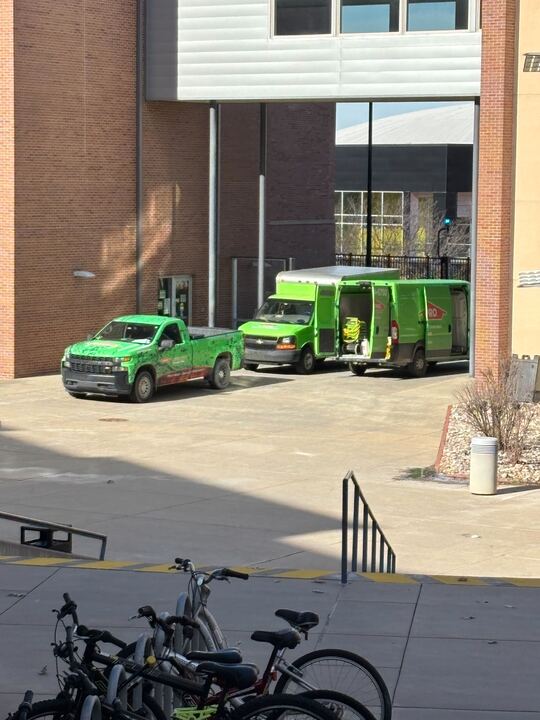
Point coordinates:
[[75, 168]]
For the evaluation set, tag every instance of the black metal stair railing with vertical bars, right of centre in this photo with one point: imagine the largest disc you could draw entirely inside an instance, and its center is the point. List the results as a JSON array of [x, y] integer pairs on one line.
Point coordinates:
[[377, 554]]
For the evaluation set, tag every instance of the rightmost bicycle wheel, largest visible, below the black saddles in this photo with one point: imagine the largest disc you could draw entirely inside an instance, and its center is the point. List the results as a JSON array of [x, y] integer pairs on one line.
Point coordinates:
[[342, 671]]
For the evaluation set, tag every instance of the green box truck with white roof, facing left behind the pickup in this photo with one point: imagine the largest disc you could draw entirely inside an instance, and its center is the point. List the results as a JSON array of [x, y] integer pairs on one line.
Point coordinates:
[[299, 324]]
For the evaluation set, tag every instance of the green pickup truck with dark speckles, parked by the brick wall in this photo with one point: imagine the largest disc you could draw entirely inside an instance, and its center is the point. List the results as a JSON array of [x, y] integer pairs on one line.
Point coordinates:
[[135, 354]]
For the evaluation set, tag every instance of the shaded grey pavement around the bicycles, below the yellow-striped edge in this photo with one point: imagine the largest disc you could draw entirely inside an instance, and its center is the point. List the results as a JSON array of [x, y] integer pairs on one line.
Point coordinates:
[[447, 652]]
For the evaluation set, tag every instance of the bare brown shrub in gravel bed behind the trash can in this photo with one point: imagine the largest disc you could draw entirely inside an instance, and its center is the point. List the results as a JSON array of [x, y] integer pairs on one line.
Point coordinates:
[[490, 407]]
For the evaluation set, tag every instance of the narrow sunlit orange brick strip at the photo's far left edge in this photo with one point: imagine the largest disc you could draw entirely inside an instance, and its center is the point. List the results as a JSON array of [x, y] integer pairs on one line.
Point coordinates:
[[7, 190]]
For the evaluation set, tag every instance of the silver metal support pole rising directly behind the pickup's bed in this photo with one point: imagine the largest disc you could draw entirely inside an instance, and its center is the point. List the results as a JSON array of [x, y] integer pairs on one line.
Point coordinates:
[[212, 214]]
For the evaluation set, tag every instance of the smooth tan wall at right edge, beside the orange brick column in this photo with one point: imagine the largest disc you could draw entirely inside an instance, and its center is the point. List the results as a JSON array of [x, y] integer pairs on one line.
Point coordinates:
[[526, 255]]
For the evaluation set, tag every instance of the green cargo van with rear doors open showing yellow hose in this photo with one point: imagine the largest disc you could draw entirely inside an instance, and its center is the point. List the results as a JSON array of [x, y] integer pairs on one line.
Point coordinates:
[[403, 323]]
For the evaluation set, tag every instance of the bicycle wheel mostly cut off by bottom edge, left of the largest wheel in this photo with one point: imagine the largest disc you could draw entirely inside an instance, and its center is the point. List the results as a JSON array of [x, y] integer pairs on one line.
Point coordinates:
[[281, 707]]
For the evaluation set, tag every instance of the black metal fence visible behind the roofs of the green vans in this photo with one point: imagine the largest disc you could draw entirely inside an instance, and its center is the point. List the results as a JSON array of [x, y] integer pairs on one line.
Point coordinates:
[[414, 267]]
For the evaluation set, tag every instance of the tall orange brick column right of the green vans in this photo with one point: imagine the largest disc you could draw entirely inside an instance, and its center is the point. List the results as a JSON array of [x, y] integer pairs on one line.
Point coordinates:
[[495, 191]]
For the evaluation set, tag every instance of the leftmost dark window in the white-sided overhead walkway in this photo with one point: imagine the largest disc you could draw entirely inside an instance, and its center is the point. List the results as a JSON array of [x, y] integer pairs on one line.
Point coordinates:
[[303, 17]]
